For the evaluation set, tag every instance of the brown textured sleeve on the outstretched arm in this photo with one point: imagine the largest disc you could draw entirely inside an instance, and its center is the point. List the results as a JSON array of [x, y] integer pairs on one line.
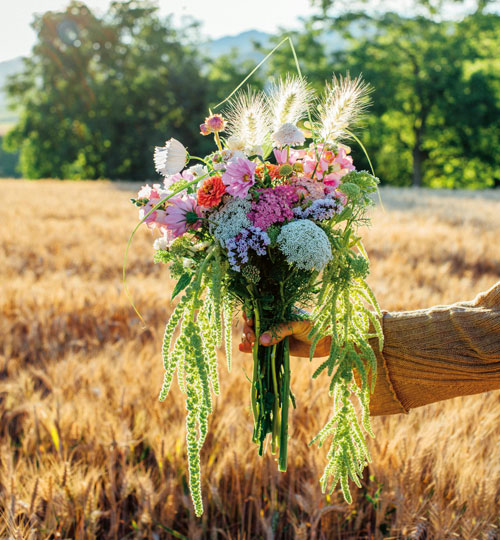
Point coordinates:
[[438, 353]]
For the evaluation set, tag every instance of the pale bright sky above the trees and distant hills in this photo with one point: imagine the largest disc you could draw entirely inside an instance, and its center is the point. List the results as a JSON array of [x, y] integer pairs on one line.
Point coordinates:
[[219, 17]]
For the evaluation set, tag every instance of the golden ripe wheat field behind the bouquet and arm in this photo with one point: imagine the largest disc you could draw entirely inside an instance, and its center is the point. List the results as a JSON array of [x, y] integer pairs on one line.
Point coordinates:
[[87, 451]]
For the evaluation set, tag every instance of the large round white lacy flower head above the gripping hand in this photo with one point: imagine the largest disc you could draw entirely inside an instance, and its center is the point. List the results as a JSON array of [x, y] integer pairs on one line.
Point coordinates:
[[305, 244]]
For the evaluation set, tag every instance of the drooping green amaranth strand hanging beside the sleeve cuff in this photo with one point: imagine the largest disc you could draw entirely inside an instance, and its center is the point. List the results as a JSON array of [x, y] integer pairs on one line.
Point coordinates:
[[342, 313]]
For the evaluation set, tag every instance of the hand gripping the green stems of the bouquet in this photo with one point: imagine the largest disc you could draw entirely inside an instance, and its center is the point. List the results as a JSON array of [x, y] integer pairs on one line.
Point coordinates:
[[298, 331]]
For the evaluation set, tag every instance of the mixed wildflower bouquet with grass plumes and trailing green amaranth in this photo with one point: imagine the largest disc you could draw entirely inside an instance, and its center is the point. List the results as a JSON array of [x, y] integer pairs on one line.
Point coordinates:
[[267, 223]]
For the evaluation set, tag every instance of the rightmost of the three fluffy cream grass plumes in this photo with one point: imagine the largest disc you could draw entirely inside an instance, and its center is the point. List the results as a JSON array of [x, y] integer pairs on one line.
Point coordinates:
[[343, 104]]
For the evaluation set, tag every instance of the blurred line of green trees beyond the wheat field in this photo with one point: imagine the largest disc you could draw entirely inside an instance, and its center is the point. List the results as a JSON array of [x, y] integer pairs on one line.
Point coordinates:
[[98, 93]]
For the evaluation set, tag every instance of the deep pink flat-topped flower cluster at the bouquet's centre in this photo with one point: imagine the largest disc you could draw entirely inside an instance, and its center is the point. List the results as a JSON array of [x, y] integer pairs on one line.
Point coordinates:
[[272, 207]]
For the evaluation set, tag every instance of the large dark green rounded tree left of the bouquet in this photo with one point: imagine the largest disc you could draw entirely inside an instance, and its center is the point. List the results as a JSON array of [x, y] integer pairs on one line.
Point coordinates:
[[98, 93]]
